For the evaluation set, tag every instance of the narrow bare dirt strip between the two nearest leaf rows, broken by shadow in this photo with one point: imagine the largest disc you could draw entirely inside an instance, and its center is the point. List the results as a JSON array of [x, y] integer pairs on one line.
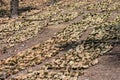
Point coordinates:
[[61, 53]]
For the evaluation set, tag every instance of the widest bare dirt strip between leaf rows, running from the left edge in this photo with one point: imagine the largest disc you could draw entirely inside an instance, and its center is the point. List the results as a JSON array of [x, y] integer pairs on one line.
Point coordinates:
[[44, 35]]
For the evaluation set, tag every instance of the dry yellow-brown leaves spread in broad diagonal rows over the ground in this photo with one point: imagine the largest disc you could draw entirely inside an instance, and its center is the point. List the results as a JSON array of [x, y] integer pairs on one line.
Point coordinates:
[[100, 16]]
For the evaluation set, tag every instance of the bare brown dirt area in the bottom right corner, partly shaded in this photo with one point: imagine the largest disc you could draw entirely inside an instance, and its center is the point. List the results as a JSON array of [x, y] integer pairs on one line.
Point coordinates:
[[108, 67]]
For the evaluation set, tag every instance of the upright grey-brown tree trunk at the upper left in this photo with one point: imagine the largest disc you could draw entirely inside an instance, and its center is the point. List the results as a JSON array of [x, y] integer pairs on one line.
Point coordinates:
[[14, 8]]
